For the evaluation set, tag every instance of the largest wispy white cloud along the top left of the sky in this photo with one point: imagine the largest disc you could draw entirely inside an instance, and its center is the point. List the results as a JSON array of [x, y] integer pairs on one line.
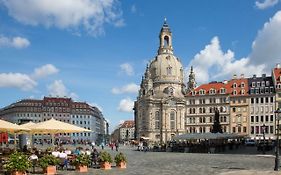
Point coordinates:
[[91, 15]]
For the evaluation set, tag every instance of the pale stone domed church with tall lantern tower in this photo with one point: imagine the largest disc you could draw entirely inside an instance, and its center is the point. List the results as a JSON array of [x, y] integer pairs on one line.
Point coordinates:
[[160, 106]]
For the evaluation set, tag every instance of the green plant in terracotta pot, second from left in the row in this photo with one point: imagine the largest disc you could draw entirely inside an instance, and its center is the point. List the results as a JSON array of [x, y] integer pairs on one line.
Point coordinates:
[[48, 164]]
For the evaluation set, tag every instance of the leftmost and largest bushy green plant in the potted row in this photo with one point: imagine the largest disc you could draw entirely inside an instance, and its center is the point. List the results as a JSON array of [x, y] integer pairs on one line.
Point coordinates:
[[17, 163]]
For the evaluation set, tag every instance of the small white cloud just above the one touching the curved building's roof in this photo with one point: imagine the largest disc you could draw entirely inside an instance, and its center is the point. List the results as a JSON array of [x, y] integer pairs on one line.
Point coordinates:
[[44, 71]]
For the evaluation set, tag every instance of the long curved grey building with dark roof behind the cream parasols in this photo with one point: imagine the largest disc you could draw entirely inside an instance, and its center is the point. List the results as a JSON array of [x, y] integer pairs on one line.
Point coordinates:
[[62, 109]]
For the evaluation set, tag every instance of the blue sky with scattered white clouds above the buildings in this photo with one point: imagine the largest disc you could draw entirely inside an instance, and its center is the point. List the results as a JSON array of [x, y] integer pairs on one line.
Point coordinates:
[[97, 51]]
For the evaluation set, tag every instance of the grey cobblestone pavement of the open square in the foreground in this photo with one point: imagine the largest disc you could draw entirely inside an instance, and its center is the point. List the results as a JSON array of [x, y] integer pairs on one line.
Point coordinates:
[[169, 163]]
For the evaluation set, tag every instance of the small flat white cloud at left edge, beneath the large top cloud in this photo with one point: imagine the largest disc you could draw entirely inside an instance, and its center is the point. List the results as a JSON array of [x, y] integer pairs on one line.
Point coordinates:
[[16, 42]]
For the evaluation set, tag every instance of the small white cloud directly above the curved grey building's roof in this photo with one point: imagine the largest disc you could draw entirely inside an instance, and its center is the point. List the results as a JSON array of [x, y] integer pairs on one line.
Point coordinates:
[[57, 88]]
